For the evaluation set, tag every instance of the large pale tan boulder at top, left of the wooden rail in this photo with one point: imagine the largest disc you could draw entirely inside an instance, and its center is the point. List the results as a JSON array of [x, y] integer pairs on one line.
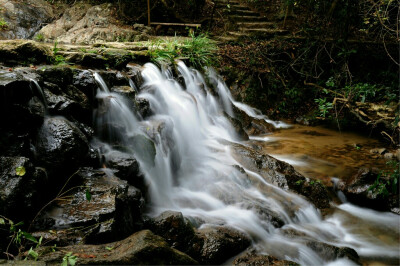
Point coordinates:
[[89, 24]]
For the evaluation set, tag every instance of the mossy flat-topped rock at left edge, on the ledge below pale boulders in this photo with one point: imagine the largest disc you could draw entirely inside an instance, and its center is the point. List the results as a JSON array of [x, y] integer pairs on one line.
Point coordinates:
[[13, 52]]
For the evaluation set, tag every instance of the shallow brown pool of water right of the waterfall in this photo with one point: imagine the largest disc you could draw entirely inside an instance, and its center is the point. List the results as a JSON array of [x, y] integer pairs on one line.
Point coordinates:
[[322, 153]]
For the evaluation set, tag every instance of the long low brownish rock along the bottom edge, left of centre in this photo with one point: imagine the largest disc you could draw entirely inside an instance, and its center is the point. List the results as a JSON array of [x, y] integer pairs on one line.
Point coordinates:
[[142, 248]]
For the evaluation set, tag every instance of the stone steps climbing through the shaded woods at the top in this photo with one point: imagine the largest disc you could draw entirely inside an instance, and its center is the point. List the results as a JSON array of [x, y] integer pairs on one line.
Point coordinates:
[[245, 21]]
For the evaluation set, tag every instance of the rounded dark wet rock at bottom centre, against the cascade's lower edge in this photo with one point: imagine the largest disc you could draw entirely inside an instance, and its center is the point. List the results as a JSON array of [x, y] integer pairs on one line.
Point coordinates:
[[220, 243]]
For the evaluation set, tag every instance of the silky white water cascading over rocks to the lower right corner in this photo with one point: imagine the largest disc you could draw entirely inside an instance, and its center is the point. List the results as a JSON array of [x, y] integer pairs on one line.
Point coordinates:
[[192, 171]]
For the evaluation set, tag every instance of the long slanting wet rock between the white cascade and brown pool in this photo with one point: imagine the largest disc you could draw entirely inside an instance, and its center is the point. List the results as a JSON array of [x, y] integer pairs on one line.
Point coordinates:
[[281, 174]]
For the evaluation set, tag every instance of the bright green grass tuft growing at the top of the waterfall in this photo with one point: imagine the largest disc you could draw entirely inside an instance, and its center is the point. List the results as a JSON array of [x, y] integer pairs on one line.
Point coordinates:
[[199, 51]]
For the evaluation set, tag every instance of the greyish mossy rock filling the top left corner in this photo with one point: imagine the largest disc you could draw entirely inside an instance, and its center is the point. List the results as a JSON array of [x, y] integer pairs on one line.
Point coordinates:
[[24, 18]]
